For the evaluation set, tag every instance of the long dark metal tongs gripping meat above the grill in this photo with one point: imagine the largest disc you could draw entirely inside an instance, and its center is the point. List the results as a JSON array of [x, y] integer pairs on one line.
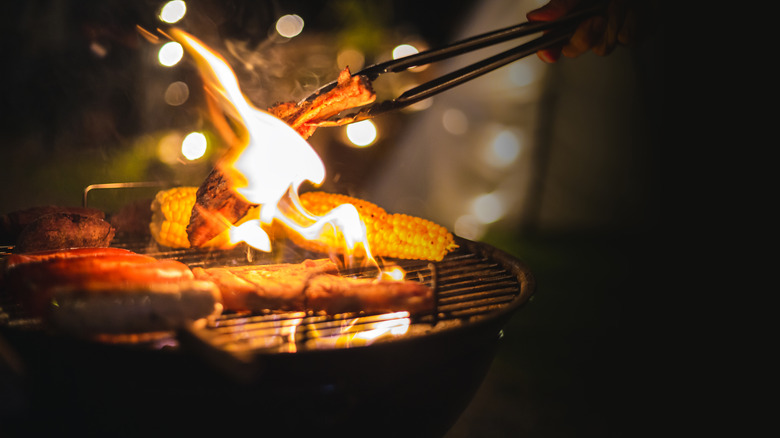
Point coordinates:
[[554, 33]]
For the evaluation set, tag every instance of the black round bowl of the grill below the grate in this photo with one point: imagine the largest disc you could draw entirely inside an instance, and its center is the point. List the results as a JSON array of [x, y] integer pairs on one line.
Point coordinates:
[[414, 385]]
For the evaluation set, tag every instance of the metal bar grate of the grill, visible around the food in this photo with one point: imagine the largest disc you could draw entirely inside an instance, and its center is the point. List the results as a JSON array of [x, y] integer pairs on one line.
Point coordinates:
[[469, 284]]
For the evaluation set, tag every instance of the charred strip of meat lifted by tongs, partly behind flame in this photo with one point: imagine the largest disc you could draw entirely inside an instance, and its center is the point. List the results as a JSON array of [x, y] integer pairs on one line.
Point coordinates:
[[217, 205]]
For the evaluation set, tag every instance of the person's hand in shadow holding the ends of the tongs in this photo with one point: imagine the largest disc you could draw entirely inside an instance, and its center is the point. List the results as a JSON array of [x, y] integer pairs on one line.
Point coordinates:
[[600, 33]]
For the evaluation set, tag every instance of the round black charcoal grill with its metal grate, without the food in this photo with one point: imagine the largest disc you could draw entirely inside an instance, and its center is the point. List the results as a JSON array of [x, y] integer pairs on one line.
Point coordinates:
[[295, 373]]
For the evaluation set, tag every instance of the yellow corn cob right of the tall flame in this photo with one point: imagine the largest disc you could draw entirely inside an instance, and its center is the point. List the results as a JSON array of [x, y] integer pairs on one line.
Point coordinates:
[[389, 235]]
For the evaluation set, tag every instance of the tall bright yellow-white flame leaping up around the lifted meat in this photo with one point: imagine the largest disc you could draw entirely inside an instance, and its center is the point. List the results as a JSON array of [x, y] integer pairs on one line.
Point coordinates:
[[269, 162]]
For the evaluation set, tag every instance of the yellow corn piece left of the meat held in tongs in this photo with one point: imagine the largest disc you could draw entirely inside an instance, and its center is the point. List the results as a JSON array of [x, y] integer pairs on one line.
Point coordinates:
[[170, 215]]
